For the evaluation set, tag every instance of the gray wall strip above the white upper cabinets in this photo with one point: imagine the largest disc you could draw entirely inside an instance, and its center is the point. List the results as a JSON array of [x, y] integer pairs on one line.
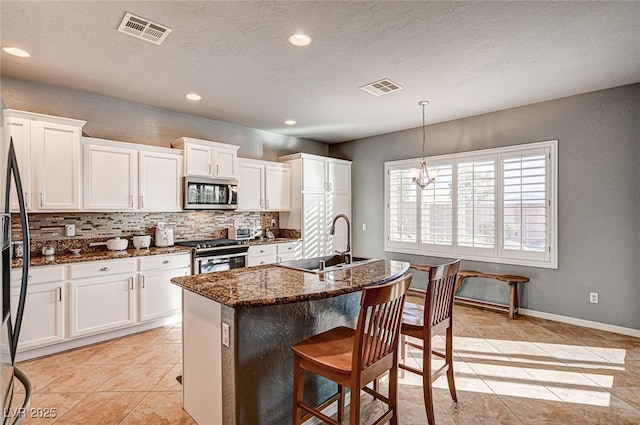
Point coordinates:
[[114, 119]]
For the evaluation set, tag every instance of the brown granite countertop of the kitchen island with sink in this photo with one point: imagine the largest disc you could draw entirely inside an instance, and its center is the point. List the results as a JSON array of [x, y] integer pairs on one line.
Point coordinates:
[[270, 284]]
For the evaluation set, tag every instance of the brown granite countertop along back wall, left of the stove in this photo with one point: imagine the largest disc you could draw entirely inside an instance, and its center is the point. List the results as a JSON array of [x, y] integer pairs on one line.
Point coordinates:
[[96, 255]]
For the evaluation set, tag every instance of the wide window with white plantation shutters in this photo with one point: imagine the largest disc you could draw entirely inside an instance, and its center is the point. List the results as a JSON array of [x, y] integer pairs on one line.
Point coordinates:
[[496, 205]]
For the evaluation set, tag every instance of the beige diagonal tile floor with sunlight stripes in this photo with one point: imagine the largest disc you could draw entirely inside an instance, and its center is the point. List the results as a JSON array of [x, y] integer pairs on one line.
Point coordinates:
[[523, 371]]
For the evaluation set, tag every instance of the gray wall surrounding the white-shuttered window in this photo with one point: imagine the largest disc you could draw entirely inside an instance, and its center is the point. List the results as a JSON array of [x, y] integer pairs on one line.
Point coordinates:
[[598, 197]]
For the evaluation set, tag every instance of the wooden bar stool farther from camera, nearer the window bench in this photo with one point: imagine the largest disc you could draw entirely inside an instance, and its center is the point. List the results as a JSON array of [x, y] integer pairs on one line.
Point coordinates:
[[424, 321]]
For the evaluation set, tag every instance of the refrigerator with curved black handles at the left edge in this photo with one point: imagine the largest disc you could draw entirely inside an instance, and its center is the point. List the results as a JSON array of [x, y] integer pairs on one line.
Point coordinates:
[[10, 375]]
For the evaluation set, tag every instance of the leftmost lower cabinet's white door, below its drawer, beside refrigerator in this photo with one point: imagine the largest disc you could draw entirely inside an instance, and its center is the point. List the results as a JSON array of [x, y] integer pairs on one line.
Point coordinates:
[[43, 320]]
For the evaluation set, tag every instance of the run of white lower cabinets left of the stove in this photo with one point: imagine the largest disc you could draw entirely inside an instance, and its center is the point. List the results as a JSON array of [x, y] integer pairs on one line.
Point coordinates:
[[69, 302]]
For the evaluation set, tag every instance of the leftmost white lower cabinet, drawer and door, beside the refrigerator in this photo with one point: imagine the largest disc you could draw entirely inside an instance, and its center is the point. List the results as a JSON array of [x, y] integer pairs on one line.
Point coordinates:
[[43, 319]]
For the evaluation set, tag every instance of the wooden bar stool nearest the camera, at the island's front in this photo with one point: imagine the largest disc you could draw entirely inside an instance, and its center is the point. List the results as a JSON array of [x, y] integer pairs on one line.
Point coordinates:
[[354, 357]]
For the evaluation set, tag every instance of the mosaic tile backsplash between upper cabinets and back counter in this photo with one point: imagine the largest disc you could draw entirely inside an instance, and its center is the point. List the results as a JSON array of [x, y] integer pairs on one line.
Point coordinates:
[[187, 225]]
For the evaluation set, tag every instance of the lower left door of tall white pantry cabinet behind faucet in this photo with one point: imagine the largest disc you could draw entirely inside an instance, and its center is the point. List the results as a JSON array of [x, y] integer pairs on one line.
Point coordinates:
[[315, 226]]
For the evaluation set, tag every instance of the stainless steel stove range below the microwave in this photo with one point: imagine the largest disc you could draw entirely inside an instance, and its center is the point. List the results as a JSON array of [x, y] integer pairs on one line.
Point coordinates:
[[215, 255]]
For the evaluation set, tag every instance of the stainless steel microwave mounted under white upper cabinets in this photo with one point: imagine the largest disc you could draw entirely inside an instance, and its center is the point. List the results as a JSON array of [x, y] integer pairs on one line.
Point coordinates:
[[201, 193]]
